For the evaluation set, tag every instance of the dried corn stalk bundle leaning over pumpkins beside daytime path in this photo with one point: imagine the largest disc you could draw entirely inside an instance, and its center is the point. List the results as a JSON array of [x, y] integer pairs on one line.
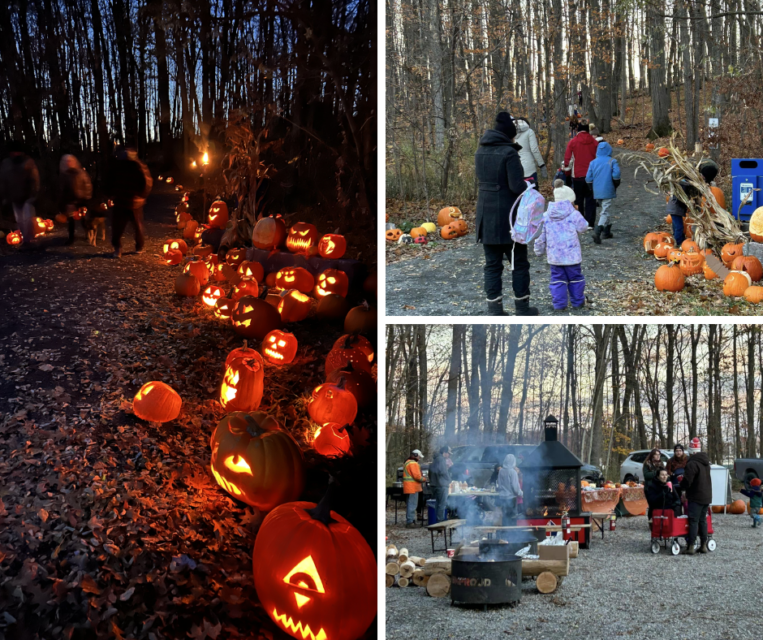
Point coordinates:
[[714, 226]]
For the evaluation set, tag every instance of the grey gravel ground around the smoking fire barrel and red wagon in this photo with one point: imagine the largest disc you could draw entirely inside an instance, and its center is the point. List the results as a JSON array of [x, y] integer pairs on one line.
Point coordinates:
[[617, 588]]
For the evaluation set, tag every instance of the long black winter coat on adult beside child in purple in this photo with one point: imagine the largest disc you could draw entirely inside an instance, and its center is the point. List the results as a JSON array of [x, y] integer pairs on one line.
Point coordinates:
[[501, 181]]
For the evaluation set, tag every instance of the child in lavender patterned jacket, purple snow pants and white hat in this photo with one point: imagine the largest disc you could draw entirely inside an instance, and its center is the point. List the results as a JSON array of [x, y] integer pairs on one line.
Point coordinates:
[[559, 240]]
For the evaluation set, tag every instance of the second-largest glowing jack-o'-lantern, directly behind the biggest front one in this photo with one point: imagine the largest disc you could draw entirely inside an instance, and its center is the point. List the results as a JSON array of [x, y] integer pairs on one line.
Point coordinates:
[[255, 461]]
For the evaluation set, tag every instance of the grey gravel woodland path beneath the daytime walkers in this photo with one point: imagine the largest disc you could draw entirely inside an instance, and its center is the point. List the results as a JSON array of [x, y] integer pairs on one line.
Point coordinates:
[[451, 282]]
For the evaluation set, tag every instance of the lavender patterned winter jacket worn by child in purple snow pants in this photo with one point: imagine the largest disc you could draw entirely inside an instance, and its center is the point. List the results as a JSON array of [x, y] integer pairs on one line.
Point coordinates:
[[558, 237]]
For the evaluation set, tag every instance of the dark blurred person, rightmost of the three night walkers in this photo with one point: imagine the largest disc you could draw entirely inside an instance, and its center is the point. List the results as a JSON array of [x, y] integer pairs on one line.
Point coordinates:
[[128, 183]]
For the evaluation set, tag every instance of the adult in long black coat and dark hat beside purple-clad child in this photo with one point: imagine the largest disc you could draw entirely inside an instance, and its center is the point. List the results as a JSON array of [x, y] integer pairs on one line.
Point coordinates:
[[501, 181]]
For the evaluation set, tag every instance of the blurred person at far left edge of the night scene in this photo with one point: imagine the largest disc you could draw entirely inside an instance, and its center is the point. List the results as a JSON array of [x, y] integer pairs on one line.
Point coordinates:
[[19, 185]]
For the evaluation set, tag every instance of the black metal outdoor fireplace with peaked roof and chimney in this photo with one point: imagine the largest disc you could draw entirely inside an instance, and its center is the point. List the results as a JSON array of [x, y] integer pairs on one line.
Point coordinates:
[[551, 479]]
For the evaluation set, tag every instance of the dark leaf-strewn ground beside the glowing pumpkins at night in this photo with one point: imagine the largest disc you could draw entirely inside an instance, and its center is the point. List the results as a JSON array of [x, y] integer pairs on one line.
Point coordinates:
[[123, 521]]
